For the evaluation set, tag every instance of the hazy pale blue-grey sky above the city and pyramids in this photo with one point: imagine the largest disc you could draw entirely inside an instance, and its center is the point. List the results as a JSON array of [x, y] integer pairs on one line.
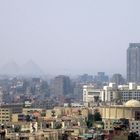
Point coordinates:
[[69, 36]]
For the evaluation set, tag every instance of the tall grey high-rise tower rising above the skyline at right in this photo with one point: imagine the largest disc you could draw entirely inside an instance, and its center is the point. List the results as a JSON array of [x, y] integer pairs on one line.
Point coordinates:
[[133, 63]]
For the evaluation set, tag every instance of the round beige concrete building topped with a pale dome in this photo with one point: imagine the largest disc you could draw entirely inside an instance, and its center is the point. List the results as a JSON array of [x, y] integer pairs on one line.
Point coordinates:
[[130, 110]]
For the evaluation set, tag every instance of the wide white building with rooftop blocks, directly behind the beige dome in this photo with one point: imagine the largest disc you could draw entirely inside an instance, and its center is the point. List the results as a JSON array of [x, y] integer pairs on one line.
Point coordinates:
[[124, 93]]
